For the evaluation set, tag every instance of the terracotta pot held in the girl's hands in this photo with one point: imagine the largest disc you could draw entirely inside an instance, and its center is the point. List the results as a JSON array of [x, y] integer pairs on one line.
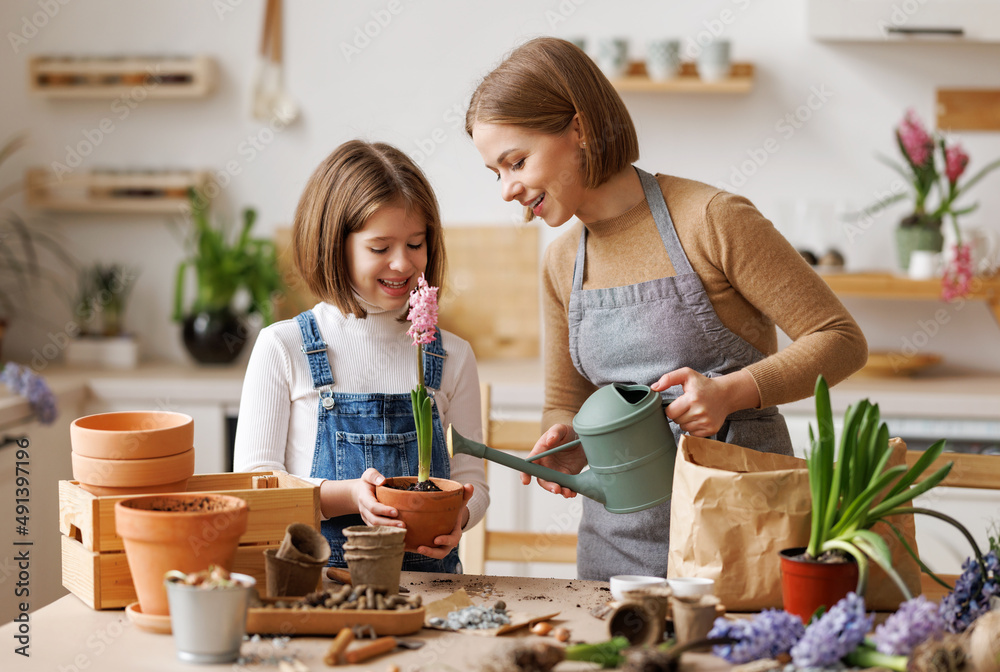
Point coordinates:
[[427, 515]]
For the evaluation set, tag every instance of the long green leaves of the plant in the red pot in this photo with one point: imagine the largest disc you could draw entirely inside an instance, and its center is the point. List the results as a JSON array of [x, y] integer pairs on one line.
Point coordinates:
[[855, 489]]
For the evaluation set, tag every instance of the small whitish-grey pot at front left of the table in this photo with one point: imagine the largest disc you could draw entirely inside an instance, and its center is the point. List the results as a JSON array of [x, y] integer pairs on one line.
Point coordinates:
[[209, 624]]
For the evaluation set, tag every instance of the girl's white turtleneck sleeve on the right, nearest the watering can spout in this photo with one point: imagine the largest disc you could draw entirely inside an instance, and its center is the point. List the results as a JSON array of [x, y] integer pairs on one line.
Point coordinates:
[[464, 412]]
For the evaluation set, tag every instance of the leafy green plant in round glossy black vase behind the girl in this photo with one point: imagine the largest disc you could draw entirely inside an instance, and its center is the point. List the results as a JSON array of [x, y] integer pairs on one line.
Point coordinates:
[[223, 265]]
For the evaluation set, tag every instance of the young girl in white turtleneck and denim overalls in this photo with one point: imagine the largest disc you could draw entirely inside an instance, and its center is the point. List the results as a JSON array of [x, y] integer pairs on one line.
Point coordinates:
[[327, 395]]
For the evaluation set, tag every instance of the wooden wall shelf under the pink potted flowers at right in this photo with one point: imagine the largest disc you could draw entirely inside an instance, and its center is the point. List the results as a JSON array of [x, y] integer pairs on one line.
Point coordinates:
[[889, 286]]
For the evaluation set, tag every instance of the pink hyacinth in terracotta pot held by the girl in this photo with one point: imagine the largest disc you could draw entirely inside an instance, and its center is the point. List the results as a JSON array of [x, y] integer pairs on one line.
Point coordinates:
[[428, 506]]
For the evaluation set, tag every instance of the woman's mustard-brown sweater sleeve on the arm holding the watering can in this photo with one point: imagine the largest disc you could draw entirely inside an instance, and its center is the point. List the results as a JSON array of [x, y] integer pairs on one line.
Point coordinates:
[[769, 273]]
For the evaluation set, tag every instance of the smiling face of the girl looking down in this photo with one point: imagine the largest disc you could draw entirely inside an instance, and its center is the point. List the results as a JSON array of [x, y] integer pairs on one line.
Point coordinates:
[[387, 255]]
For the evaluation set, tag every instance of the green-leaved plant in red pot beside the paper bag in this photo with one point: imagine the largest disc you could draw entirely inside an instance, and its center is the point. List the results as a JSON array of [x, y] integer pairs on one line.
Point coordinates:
[[849, 496]]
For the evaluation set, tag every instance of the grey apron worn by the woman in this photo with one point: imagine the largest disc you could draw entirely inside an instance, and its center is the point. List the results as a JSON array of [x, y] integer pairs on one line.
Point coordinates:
[[635, 334]]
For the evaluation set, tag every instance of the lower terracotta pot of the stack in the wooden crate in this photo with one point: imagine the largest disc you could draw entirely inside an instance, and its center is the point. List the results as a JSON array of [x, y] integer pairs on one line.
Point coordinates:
[[133, 473]]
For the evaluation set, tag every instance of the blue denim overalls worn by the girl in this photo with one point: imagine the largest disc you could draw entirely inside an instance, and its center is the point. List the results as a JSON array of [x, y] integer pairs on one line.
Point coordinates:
[[358, 431]]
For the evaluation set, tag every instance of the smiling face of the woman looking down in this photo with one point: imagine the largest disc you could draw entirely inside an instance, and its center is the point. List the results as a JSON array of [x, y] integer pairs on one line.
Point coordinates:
[[541, 171]]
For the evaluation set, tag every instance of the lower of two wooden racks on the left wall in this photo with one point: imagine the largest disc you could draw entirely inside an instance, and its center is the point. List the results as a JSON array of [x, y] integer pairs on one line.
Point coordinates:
[[113, 191]]
